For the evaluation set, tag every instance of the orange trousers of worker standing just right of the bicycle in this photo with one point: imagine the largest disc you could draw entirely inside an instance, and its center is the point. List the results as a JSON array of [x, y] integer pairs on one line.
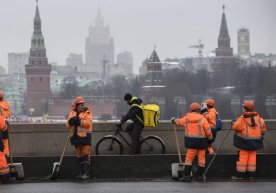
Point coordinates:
[[190, 155]]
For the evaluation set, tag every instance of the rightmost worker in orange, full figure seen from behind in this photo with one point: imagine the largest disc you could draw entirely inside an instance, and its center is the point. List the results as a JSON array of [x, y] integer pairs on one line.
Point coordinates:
[[249, 131]]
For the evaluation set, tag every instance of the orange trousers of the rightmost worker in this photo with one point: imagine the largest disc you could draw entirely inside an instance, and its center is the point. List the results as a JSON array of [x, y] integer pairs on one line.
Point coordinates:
[[247, 161]]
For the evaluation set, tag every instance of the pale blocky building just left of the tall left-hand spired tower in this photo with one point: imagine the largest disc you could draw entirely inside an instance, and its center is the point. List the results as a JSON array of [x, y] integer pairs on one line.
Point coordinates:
[[17, 62]]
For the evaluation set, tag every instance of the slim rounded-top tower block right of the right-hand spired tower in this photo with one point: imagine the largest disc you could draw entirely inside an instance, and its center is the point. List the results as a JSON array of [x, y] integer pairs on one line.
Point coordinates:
[[243, 42]]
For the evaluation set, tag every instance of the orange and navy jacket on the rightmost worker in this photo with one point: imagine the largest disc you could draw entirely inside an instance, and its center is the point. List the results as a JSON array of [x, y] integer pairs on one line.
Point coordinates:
[[249, 128]]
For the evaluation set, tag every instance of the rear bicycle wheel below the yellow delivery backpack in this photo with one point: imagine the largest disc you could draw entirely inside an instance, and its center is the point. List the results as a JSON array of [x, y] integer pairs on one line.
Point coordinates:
[[152, 145]]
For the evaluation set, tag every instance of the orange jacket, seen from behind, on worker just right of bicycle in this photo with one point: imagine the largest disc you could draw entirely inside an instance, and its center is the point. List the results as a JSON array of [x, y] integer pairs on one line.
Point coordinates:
[[197, 130]]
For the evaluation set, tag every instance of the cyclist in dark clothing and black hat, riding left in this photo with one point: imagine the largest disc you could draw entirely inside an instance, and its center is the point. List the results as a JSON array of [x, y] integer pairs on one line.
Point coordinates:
[[135, 113]]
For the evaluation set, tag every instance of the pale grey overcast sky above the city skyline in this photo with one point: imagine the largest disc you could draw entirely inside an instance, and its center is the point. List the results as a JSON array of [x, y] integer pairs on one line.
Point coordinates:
[[136, 25]]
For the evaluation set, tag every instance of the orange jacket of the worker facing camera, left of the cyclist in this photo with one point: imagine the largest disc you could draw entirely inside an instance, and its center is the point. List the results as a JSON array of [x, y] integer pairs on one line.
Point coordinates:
[[82, 133]]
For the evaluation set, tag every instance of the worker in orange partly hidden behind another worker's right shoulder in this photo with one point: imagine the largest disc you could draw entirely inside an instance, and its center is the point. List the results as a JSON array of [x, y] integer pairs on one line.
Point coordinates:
[[210, 113]]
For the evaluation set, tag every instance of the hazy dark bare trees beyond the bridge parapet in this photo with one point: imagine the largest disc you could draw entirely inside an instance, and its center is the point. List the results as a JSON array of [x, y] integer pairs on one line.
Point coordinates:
[[249, 81]]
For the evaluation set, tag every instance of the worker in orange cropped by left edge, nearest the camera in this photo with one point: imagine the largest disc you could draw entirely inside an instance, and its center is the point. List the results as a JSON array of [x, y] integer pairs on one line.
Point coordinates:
[[4, 168]]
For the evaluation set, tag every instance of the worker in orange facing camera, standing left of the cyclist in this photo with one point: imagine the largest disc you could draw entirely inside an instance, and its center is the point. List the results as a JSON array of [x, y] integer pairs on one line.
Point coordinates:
[[80, 121]]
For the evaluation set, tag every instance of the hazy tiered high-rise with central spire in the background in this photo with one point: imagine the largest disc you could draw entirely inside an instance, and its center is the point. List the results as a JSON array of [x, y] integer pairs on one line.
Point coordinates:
[[99, 48]]
